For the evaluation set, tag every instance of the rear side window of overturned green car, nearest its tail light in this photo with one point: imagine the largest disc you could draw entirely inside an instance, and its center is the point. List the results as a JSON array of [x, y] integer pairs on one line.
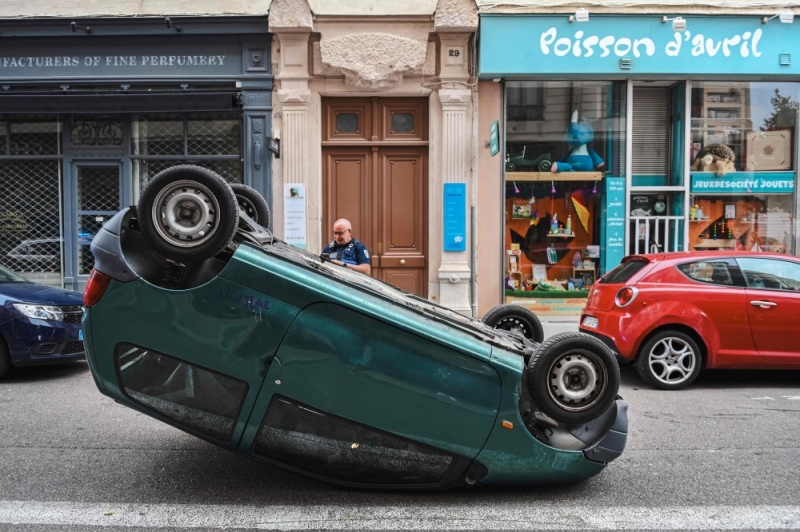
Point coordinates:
[[203, 400]]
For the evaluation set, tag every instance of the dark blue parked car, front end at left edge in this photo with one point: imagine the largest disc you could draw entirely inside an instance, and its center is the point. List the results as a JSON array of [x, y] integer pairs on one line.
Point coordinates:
[[38, 324]]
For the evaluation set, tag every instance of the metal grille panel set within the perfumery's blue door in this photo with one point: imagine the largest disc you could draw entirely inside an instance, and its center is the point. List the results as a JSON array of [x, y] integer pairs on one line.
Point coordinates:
[[98, 200]]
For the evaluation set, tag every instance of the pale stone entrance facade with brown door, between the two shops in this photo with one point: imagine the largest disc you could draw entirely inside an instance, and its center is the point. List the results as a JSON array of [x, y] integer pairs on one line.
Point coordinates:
[[375, 107]]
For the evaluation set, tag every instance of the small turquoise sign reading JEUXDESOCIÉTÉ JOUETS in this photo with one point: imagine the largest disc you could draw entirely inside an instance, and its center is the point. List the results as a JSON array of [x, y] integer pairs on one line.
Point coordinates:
[[743, 183]]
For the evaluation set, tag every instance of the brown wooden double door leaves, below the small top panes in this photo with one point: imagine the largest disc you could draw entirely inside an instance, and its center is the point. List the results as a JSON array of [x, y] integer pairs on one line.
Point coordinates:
[[381, 192]]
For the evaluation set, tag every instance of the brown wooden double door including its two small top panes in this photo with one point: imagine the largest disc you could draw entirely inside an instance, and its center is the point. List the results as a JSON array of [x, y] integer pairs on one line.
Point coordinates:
[[375, 159]]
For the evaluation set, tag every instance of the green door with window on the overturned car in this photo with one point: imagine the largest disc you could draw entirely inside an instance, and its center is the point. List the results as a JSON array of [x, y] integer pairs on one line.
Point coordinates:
[[360, 401]]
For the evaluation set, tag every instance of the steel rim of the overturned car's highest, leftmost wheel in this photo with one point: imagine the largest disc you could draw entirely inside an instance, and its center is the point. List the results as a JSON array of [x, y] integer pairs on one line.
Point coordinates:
[[185, 213]]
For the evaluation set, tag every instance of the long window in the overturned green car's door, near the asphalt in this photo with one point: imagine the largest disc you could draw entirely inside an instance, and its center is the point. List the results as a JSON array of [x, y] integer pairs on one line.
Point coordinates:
[[333, 447]]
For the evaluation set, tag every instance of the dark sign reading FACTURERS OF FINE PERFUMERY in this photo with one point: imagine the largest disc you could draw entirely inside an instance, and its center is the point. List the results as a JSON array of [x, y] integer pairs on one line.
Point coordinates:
[[104, 56]]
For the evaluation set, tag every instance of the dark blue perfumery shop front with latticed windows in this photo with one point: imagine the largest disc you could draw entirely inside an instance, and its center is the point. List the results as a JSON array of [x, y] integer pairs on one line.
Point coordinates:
[[87, 118]]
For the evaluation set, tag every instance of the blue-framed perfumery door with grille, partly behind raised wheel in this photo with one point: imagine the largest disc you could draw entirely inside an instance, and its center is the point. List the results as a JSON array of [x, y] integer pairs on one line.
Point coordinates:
[[98, 188]]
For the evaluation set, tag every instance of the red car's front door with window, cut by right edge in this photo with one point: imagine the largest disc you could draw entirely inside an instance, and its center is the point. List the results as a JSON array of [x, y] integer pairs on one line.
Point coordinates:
[[773, 296]]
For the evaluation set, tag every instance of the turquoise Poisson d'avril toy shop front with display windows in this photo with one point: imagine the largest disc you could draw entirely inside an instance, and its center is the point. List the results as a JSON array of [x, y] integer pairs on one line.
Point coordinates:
[[626, 134]]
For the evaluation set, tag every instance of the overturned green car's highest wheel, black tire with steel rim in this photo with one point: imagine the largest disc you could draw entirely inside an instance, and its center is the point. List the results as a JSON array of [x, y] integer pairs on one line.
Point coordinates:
[[188, 213]]
